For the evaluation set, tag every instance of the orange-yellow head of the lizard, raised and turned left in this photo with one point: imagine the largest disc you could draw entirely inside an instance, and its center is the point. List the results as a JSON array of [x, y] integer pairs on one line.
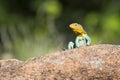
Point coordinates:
[[77, 28]]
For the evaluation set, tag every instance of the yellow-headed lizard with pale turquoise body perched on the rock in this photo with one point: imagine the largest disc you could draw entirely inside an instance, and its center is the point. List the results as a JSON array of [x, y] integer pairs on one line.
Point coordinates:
[[82, 38]]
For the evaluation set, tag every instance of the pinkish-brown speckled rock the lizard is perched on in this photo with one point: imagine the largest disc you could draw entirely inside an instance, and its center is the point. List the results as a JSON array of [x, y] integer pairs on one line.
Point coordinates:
[[97, 62]]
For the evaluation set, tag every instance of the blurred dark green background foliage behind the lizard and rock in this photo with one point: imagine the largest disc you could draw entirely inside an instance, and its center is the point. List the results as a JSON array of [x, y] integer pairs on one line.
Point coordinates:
[[31, 28]]
